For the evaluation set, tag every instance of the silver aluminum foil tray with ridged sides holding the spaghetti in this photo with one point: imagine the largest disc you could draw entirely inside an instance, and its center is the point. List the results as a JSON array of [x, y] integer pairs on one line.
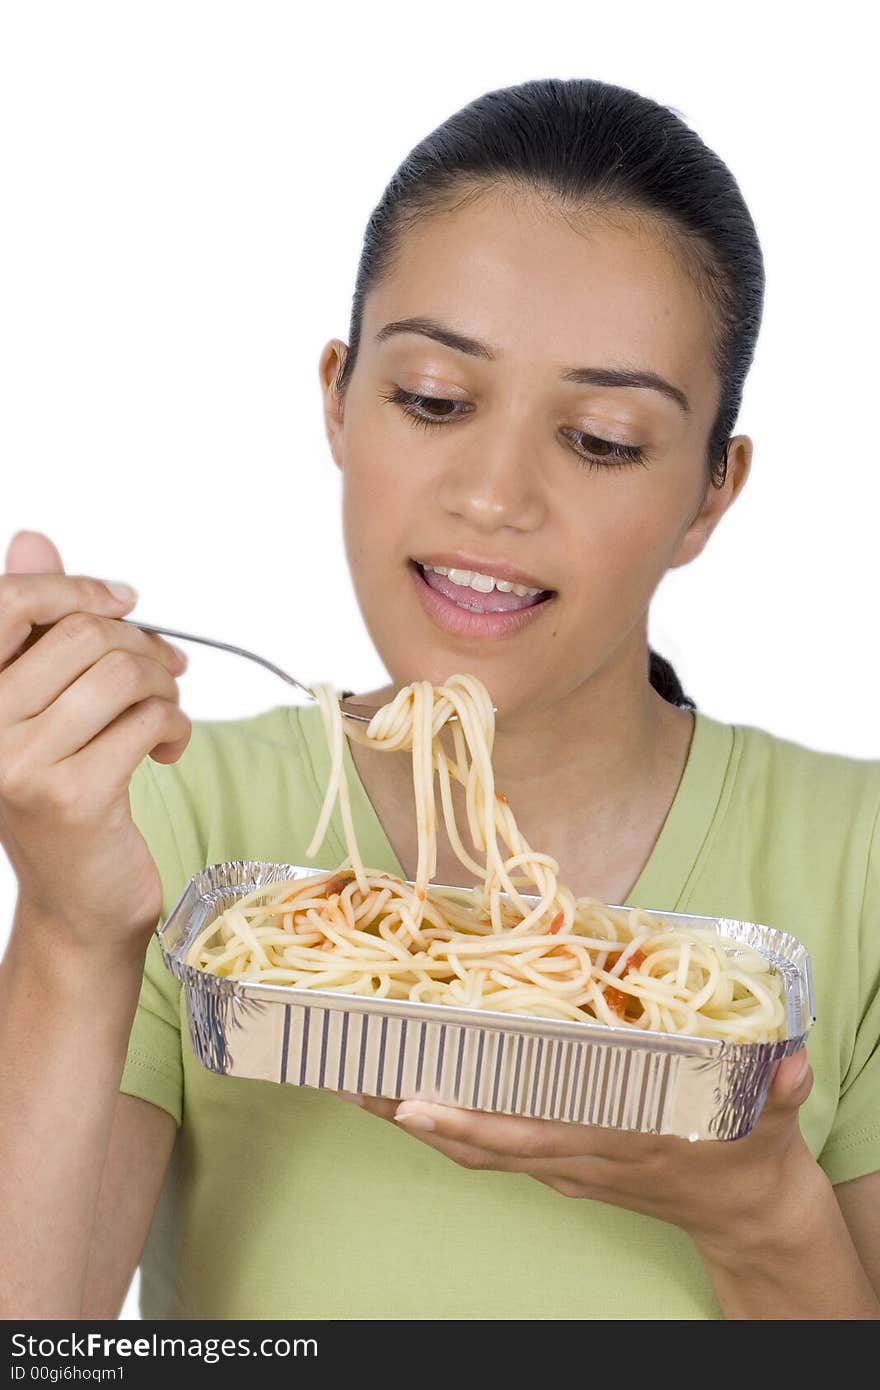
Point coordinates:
[[515, 1064]]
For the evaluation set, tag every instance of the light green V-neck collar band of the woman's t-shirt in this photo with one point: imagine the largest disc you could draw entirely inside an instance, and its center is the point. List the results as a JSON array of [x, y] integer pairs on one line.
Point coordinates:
[[678, 851]]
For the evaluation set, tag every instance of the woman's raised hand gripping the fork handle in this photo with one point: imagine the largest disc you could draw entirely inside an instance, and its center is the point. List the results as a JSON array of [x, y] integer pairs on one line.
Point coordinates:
[[84, 698]]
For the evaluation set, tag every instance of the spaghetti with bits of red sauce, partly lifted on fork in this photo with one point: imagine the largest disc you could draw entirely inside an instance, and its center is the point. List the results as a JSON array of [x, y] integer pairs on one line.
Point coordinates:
[[546, 953]]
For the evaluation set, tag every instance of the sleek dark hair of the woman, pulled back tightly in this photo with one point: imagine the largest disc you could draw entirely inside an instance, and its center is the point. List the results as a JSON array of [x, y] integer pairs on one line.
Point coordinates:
[[590, 147]]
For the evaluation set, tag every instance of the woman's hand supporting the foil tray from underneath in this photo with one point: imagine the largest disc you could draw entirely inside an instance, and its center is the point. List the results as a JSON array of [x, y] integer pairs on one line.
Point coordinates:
[[717, 1192]]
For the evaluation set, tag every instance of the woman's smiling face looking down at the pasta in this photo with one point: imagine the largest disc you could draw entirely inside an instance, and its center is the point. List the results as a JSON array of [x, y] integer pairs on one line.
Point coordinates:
[[582, 489]]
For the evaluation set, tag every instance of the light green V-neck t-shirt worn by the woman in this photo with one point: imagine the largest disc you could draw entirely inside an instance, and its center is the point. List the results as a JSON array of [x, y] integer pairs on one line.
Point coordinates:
[[284, 1202]]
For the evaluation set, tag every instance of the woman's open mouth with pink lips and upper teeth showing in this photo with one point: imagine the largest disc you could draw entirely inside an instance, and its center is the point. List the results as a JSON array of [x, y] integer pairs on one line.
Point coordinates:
[[475, 603]]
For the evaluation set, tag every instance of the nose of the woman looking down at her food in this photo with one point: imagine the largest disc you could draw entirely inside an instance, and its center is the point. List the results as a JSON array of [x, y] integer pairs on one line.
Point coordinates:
[[494, 487]]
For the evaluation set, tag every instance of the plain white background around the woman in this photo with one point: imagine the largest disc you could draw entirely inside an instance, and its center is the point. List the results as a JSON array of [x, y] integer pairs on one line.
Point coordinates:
[[186, 188]]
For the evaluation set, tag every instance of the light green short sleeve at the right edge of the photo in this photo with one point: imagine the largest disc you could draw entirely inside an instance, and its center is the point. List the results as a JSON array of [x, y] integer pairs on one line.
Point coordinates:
[[853, 1149]]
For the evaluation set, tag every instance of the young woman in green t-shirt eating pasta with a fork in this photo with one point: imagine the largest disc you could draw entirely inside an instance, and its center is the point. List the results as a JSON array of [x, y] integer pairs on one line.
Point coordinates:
[[555, 312]]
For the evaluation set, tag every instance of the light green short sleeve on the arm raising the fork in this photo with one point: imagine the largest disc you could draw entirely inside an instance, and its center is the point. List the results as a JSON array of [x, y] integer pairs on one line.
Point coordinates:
[[154, 1065]]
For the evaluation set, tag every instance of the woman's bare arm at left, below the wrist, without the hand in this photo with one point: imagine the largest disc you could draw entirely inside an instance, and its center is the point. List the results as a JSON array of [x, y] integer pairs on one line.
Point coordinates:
[[63, 1039]]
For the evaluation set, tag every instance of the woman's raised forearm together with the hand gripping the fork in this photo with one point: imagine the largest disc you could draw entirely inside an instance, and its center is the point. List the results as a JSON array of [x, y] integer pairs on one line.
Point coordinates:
[[84, 700]]
